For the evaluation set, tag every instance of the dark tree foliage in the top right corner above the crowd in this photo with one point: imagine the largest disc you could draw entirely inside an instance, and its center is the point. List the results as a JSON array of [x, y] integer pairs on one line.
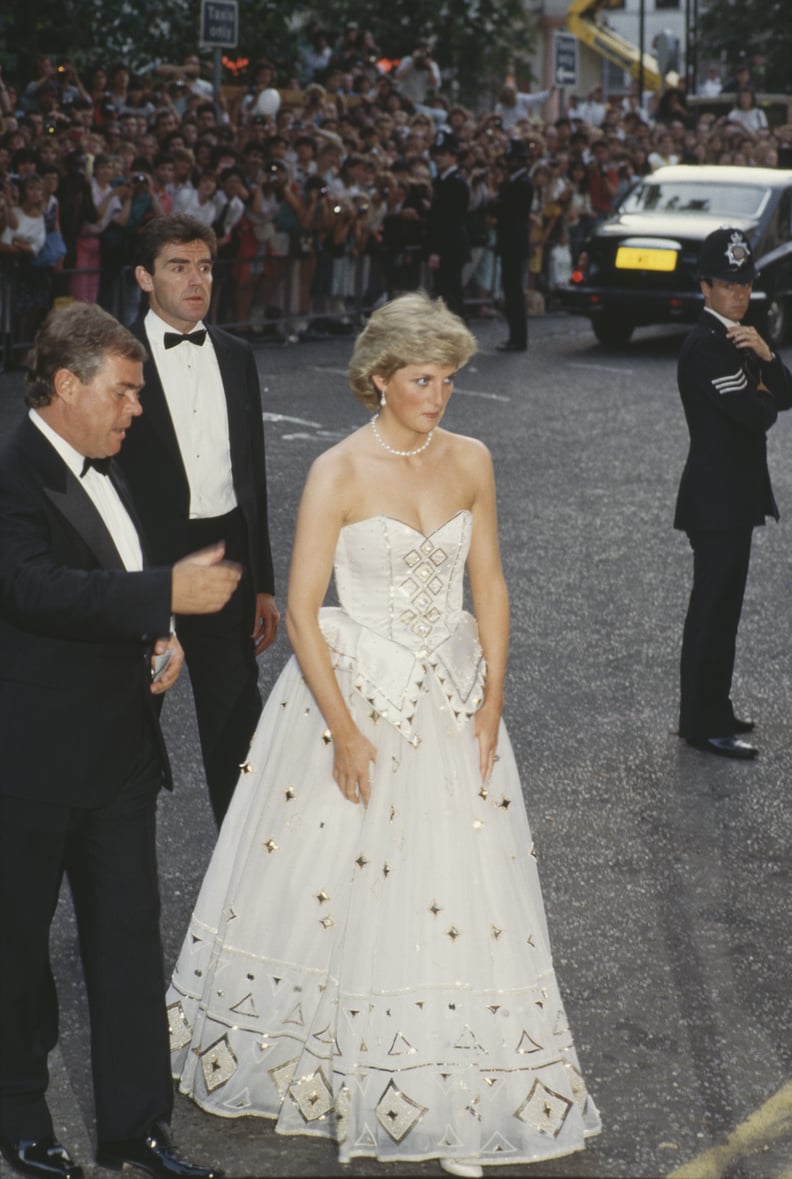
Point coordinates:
[[758, 32]]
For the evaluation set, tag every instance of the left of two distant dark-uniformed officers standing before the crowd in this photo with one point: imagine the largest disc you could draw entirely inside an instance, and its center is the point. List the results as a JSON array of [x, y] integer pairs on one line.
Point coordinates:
[[447, 225]]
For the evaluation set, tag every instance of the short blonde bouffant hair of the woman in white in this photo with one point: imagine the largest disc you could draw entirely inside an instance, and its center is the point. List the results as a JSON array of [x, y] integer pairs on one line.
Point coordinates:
[[412, 330]]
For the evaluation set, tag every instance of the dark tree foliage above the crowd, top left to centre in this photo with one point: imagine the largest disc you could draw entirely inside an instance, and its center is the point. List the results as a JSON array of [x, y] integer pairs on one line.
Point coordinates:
[[476, 41]]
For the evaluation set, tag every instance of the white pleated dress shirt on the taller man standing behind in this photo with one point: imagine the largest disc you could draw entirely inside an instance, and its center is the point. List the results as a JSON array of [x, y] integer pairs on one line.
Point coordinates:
[[196, 399]]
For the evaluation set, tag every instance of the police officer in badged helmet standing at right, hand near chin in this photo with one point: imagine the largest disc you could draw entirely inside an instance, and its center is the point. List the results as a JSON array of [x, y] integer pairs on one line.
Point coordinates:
[[732, 387]]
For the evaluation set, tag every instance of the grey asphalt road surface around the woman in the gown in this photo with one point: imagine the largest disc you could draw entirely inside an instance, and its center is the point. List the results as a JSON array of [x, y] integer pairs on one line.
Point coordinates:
[[666, 873]]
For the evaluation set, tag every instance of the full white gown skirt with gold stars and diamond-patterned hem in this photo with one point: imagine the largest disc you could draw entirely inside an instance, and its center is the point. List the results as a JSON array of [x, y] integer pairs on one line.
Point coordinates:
[[380, 977]]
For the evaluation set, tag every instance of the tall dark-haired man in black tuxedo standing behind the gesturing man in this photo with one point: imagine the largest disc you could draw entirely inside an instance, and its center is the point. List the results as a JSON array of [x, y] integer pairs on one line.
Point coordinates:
[[195, 464]]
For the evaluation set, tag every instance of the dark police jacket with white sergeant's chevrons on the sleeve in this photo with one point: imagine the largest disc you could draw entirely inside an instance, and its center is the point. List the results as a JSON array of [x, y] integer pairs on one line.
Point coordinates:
[[725, 484]]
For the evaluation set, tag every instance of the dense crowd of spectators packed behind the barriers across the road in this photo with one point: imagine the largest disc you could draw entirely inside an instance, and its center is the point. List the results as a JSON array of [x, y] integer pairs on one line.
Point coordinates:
[[318, 181]]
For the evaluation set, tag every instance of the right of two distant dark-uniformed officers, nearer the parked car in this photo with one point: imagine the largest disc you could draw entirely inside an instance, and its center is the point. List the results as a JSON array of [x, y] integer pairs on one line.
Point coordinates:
[[512, 209]]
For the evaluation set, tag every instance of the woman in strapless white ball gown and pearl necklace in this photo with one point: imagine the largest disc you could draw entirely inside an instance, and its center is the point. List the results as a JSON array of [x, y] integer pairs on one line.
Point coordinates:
[[368, 960]]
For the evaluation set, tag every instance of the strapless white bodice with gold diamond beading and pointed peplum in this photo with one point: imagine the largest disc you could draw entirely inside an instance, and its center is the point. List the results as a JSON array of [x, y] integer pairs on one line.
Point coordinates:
[[401, 615]]
